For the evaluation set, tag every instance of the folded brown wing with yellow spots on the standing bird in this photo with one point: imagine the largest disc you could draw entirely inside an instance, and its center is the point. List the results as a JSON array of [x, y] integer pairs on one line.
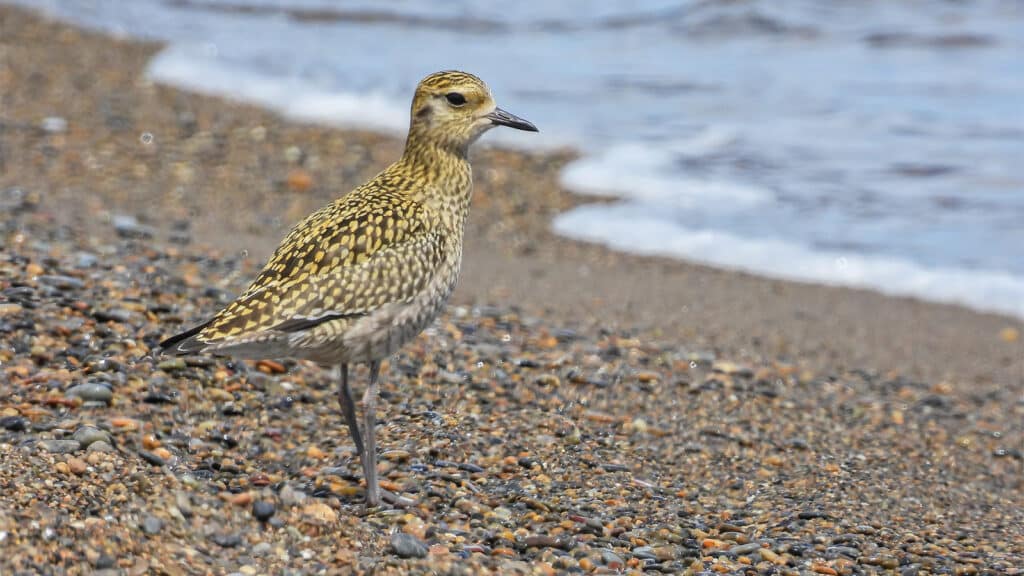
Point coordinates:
[[345, 261]]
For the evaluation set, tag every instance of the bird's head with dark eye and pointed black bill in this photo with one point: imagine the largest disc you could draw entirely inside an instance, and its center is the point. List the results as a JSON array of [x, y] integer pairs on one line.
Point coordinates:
[[453, 109]]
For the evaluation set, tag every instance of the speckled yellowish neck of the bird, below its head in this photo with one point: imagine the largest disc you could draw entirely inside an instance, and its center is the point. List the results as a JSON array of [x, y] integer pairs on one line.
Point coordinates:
[[444, 179]]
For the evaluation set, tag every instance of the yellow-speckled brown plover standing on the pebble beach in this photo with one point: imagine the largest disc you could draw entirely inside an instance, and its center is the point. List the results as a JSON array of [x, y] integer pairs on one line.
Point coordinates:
[[361, 277]]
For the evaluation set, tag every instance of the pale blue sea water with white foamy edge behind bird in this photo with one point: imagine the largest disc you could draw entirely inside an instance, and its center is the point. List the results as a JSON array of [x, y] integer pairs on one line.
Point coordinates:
[[877, 145]]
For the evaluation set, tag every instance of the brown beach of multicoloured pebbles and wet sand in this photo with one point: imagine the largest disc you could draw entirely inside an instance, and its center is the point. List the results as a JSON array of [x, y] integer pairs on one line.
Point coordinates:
[[575, 412]]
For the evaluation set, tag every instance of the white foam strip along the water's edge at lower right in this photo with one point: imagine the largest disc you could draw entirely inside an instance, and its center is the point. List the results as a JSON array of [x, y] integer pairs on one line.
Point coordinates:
[[645, 230]]
